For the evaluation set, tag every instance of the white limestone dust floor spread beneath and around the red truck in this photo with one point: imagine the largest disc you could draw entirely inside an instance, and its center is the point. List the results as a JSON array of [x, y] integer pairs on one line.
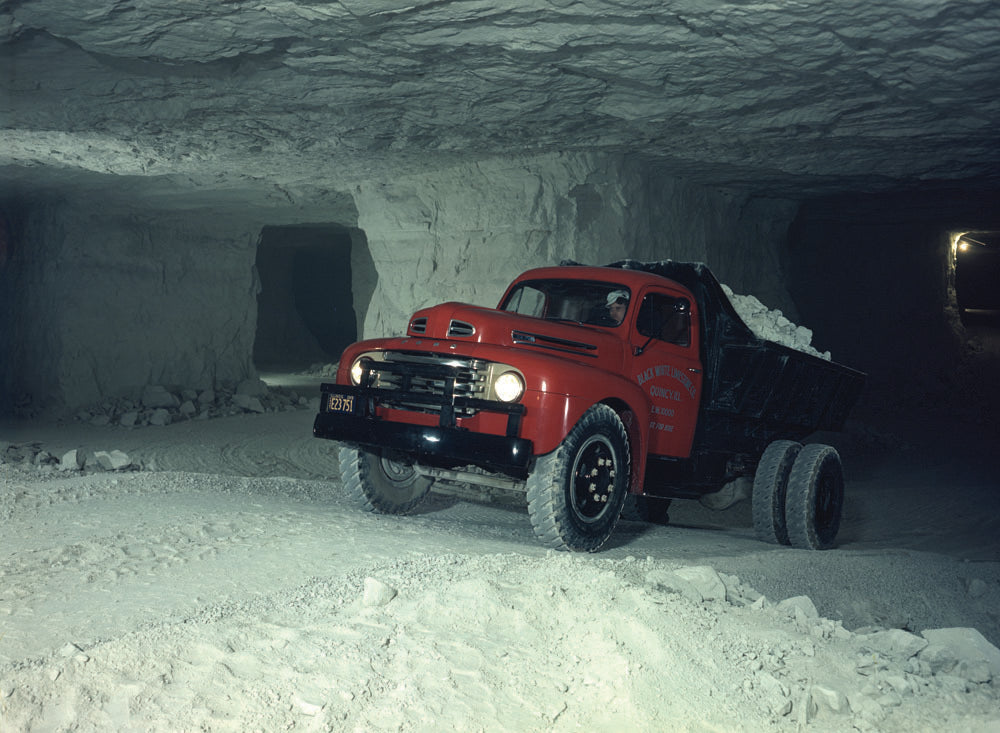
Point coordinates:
[[238, 588]]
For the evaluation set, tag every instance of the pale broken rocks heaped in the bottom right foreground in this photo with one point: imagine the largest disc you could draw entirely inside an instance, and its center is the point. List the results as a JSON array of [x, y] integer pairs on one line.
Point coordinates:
[[891, 668]]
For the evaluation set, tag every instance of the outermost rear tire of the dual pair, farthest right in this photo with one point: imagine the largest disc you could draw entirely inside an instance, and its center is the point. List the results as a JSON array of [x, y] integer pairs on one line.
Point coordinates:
[[815, 499]]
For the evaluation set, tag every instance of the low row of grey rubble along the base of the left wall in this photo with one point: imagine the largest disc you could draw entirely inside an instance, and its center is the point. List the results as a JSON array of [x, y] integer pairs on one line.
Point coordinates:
[[160, 406]]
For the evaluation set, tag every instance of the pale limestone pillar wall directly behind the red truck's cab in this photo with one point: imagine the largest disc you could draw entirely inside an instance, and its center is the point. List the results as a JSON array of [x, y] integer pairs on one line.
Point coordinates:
[[465, 232]]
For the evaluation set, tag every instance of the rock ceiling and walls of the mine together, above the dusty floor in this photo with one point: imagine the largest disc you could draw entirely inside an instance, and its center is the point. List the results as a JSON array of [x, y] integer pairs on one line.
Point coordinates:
[[225, 201]]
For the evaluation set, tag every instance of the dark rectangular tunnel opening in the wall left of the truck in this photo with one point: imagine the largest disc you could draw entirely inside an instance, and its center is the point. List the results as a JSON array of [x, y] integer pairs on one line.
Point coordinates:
[[305, 303]]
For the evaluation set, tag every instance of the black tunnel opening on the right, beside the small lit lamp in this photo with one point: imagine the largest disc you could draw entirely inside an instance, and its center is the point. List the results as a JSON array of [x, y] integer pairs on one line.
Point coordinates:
[[874, 277]]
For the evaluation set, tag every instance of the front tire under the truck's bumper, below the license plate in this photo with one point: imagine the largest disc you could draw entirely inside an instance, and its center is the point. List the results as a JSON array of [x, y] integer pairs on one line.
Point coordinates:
[[381, 481]]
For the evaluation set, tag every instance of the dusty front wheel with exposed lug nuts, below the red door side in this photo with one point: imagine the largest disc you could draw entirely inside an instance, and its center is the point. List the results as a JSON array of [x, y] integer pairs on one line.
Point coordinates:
[[576, 493]]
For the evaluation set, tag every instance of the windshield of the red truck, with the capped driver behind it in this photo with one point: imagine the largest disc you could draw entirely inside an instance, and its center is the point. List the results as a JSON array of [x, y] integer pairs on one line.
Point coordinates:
[[580, 301]]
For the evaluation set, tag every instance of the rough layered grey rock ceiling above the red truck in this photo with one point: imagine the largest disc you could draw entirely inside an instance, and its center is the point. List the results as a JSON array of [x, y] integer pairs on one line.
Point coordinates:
[[792, 98]]
